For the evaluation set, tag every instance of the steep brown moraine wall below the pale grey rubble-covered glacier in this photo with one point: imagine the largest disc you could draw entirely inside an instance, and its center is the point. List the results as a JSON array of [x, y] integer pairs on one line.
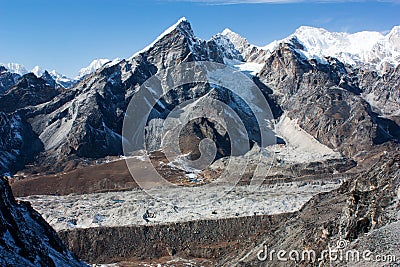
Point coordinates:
[[195, 239]]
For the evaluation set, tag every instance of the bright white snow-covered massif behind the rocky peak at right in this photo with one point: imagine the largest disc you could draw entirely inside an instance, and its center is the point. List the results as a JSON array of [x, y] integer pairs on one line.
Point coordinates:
[[367, 48]]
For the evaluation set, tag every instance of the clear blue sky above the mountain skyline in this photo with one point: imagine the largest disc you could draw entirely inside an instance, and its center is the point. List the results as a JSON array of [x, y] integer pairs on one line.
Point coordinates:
[[66, 34]]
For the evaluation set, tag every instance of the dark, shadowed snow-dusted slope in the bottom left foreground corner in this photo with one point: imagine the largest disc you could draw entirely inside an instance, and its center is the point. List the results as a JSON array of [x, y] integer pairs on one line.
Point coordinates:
[[25, 238]]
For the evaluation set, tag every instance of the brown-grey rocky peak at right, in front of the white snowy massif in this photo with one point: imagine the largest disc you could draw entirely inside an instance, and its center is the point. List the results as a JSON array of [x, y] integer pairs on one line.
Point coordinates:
[[326, 101]]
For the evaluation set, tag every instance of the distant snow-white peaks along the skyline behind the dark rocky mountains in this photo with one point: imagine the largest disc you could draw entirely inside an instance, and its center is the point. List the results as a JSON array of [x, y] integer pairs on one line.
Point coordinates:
[[367, 49]]
